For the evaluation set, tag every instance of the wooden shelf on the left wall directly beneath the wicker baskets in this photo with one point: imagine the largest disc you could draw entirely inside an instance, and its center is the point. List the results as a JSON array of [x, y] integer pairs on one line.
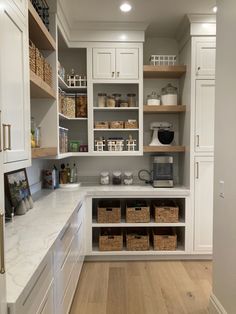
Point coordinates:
[[40, 89]]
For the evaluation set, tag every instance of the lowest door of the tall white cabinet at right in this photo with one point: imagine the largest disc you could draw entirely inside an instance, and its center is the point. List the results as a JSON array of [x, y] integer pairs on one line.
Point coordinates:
[[203, 211]]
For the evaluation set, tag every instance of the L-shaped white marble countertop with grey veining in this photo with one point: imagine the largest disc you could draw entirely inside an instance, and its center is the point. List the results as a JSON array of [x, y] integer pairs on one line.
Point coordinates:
[[30, 237]]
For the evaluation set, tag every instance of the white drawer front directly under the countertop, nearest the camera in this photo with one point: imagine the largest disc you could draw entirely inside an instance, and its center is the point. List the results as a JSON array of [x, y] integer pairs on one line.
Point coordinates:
[[37, 289]]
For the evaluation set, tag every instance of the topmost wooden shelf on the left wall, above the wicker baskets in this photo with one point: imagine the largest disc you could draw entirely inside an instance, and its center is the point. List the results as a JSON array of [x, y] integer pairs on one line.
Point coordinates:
[[38, 32]]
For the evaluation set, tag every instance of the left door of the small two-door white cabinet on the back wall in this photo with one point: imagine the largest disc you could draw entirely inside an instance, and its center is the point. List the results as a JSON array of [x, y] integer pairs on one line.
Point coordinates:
[[103, 63]]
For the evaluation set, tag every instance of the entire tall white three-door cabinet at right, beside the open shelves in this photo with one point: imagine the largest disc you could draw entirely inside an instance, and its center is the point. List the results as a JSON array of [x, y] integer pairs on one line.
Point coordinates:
[[203, 110]]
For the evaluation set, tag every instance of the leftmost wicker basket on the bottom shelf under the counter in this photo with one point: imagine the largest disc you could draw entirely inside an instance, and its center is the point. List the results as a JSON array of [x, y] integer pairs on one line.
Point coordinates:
[[111, 240]]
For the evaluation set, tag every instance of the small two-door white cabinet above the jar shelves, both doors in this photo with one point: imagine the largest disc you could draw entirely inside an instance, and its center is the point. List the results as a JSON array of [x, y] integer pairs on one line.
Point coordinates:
[[115, 63]]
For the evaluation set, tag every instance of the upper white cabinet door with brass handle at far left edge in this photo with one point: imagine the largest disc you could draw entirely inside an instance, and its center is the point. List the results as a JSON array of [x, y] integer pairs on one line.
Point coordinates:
[[14, 86]]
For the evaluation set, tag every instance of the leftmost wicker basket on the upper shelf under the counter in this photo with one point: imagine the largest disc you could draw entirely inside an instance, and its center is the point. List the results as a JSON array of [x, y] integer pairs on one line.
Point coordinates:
[[109, 211]]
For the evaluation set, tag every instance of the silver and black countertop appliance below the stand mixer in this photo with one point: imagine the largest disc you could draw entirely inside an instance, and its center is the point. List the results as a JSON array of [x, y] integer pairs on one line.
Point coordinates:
[[163, 171]]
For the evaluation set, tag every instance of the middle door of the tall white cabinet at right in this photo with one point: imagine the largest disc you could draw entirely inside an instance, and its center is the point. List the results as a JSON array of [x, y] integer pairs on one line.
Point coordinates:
[[204, 115]]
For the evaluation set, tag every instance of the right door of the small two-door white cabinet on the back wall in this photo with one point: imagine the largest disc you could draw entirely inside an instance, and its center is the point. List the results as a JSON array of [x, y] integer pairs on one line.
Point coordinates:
[[127, 64]]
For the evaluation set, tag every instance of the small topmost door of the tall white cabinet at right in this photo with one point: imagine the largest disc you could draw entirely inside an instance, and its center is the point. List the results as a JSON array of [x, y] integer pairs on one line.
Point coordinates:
[[205, 58]]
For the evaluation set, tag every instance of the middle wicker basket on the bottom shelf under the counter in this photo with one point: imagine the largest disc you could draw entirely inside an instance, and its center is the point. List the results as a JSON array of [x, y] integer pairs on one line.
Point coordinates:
[[137, 240]]
